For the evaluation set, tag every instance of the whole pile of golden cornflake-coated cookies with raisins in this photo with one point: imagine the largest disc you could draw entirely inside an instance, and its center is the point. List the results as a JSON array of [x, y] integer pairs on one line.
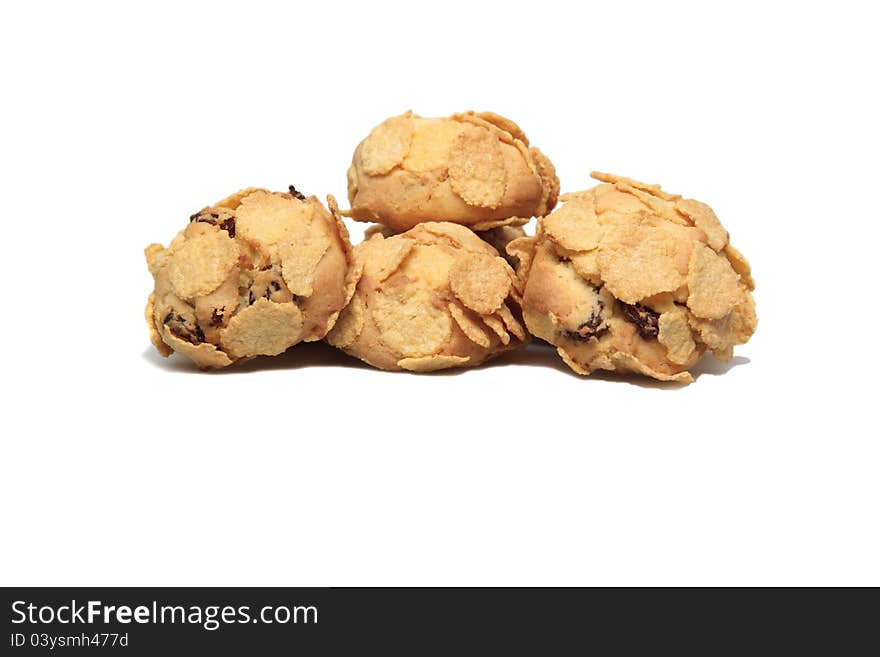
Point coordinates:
[[622, 277]]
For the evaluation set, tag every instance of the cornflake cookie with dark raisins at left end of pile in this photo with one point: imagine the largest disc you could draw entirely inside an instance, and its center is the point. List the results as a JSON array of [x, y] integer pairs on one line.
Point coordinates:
[[252, 275]]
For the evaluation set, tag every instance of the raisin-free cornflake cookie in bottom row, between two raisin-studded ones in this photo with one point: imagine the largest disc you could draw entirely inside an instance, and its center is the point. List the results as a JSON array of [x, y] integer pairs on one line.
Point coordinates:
[[434, 297]]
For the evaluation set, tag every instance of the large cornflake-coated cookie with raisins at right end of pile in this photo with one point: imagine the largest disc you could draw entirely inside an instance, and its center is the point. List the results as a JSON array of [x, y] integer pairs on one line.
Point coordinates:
[[626, 277]]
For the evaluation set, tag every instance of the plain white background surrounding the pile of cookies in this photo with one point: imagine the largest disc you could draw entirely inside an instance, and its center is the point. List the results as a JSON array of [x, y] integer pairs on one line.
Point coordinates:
[[119, 468]]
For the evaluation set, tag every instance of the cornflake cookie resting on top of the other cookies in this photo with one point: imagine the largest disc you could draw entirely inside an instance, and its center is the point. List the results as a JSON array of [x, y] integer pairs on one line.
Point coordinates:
[[472, 169]]
